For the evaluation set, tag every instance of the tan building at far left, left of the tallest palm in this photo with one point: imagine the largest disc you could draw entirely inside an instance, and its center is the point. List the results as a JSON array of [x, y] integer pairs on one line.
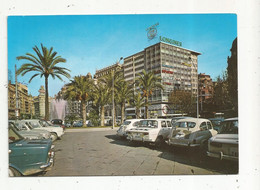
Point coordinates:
[[25, 103]]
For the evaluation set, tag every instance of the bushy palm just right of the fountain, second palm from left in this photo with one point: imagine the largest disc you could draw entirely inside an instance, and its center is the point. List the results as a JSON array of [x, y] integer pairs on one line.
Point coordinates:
[[79, 89]]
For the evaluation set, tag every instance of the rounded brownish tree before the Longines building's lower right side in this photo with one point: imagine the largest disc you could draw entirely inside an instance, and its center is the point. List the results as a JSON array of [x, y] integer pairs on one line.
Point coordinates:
[[182, 101]]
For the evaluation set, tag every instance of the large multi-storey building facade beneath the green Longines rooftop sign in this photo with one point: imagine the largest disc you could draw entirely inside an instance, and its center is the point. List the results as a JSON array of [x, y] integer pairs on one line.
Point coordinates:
[[176, 66]]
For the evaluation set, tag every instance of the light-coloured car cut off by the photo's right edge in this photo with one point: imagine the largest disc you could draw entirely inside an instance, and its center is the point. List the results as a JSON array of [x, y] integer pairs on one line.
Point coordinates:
[[225, 144]]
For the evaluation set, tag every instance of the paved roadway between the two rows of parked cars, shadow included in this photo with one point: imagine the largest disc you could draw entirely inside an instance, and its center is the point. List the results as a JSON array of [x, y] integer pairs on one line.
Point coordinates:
[[99, 152]]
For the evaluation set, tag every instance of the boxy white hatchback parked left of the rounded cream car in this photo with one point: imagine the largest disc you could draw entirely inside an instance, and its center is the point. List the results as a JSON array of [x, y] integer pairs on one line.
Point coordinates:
[[151, 130]]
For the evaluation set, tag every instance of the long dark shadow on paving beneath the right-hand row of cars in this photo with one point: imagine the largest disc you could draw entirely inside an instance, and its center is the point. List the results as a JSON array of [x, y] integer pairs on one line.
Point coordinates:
[[184, 155]]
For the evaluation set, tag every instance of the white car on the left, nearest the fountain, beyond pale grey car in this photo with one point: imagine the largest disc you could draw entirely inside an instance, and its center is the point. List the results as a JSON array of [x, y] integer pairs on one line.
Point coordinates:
[[56, 132]]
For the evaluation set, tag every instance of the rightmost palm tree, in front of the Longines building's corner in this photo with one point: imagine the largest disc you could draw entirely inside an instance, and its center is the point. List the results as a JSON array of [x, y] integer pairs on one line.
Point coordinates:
[[148, 82]]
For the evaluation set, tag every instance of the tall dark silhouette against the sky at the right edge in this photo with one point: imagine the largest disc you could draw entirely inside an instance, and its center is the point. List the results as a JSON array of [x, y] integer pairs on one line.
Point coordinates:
[[232, 76]]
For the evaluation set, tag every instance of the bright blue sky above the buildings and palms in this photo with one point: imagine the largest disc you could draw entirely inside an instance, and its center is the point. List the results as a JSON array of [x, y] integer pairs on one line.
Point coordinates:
[[90, 42]]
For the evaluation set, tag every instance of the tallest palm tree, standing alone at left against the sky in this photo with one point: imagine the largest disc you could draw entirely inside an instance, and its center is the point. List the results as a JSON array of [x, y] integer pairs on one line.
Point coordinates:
[[43, 64]]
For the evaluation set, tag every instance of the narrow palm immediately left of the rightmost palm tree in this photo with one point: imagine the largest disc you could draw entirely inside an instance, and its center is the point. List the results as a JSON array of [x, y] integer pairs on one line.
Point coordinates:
[[123, 95]]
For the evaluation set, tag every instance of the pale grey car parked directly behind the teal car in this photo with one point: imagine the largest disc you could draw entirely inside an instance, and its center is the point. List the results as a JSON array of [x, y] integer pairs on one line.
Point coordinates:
[[24, 127]]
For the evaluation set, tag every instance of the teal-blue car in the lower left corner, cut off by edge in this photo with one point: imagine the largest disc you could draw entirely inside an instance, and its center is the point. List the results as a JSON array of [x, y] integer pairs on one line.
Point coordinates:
[[27, 157]]
